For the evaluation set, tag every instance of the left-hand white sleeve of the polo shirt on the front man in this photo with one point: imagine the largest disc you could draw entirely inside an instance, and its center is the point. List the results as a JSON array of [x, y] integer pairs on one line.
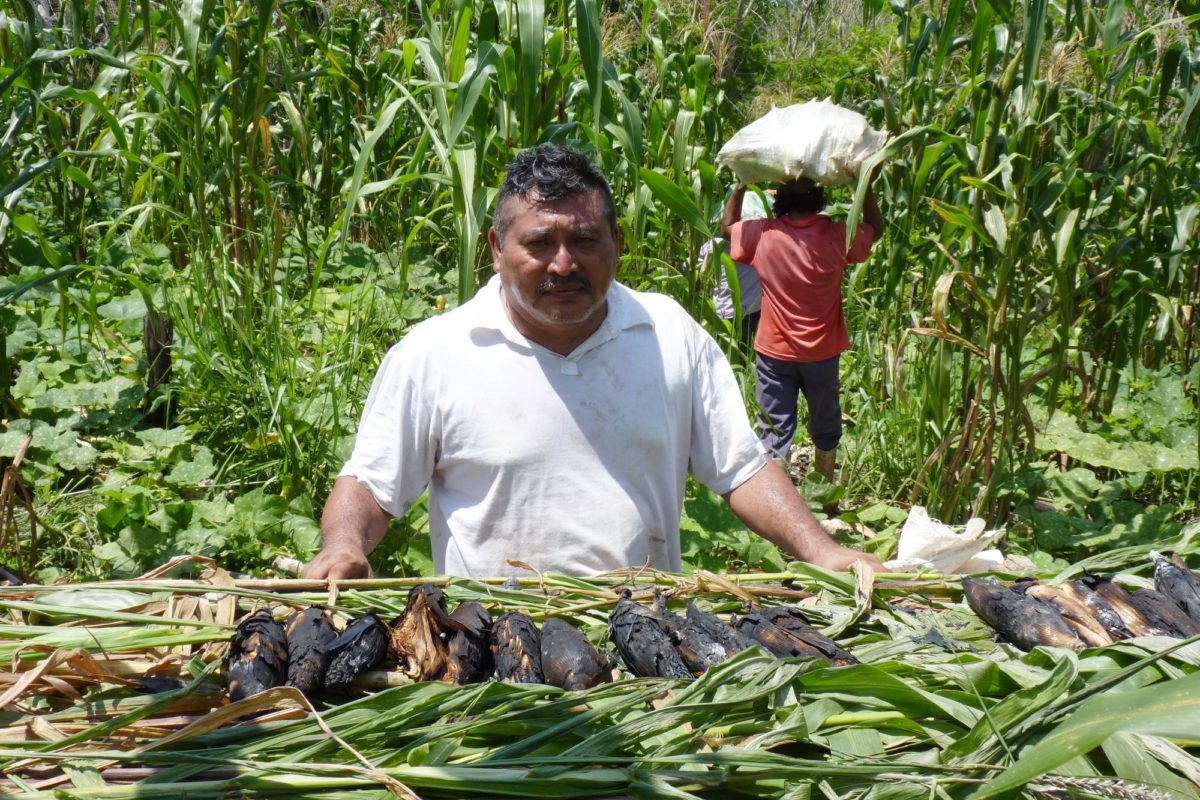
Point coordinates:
[[397, 448]]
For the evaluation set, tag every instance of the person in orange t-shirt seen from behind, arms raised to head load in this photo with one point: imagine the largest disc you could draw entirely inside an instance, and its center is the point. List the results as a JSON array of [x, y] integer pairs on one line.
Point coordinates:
[[801, 257]]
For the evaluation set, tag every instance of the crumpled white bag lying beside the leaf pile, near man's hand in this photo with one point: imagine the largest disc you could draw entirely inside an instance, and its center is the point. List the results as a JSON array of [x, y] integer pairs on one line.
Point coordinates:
[[927, 544]]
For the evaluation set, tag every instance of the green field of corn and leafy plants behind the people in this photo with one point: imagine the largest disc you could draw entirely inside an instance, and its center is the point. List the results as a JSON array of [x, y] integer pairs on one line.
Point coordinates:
[[279, 191]]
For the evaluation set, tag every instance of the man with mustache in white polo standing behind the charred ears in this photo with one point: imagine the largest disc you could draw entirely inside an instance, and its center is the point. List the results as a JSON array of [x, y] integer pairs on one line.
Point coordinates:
[[556, 416]]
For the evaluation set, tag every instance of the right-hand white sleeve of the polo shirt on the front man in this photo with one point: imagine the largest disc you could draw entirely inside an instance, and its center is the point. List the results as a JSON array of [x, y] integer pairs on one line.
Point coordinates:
[[725, 453]]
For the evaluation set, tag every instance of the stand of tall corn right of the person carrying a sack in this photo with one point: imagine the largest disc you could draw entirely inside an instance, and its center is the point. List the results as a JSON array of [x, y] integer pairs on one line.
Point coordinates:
[[1043, 225]]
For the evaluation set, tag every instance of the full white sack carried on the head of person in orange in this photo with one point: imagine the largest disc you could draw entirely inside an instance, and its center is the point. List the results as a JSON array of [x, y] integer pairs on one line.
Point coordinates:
[[815, 140]]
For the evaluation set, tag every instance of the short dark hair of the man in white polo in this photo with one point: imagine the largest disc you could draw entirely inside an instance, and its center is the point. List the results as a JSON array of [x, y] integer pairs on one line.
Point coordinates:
[[550, 172]]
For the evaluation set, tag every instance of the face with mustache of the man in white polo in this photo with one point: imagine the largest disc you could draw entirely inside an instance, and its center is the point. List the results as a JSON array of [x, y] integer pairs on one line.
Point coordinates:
[[556, 266]]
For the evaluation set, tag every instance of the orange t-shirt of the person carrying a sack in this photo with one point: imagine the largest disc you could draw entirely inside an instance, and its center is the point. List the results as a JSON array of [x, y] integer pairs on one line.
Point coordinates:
[[801, 262]]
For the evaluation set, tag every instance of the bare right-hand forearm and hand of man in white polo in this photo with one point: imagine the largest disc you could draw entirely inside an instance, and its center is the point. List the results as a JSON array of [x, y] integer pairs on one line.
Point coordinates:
[[771, 507]]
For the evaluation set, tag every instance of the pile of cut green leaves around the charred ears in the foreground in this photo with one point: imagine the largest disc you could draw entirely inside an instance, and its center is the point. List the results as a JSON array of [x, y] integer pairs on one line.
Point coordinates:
[[937, 709]]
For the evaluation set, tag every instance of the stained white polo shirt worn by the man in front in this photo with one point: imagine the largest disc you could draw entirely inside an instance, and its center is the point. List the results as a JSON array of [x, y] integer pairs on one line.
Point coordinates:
[[574, 465]]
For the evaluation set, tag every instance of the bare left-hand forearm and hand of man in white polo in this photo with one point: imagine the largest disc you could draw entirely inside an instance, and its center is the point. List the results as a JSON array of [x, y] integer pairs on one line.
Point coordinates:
[[351, 527]]
